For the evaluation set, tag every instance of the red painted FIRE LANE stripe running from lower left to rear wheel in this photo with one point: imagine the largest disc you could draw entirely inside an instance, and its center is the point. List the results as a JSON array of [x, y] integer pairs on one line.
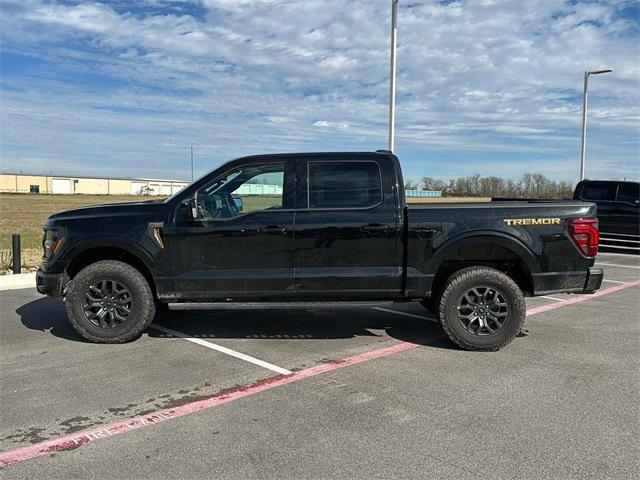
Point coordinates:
[[86, 436]]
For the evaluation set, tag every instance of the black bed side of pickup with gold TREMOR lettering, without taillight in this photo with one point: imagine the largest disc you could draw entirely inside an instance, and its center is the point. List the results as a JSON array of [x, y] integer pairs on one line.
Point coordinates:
[[530, 230]]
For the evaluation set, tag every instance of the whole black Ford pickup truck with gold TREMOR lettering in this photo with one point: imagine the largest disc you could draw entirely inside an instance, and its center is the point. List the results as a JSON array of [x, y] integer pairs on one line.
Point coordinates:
[[315, 228]]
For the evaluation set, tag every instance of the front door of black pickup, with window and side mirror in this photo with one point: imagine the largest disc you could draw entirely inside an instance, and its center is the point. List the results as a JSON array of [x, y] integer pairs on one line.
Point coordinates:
[[241, 244]]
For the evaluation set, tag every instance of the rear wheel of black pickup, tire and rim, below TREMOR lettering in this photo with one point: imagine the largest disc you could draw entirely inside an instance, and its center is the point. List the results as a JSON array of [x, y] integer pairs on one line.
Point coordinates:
[[481, 309]]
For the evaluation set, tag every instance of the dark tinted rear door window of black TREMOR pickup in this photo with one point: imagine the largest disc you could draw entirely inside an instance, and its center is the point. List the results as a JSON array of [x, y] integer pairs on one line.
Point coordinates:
[[354, 184]]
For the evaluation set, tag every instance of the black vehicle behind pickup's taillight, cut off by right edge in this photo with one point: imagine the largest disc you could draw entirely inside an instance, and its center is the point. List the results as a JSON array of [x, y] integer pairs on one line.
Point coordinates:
[[618, 204]]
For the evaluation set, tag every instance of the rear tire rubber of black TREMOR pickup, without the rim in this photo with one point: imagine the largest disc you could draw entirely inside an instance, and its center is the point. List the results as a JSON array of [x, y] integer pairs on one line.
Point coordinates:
[[462, 281]]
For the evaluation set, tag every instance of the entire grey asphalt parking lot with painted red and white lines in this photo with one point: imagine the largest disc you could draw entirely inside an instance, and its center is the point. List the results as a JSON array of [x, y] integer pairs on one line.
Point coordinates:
[[326, 393]]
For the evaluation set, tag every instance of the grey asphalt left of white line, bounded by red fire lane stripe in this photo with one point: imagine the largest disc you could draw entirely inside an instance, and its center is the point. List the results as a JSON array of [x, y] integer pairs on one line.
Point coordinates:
[[55, 383]]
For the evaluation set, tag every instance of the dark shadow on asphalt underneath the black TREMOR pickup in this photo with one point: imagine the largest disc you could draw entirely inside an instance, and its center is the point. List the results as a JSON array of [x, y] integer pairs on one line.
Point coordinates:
[[47, 314]]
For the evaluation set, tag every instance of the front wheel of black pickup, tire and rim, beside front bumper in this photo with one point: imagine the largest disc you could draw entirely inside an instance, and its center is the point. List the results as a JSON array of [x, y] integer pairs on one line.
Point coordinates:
[[109, 302]]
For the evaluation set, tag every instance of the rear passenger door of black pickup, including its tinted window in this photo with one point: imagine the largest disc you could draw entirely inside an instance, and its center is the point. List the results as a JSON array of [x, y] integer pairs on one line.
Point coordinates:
[[347, 230]]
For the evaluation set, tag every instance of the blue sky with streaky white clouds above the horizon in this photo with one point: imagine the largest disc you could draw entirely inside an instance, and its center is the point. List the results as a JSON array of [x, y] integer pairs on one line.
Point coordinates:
[[123, 88]]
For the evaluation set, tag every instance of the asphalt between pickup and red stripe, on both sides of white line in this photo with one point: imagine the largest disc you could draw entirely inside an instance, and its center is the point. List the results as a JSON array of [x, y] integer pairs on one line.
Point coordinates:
[[59, 384]]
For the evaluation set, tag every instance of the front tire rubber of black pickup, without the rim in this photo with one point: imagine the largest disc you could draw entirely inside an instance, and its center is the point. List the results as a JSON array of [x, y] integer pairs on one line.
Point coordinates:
[[142, 302]]
